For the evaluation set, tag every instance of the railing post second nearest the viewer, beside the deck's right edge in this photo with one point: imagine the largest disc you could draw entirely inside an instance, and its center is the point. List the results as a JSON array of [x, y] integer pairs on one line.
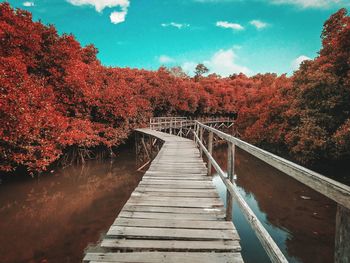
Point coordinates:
[[230, 175]]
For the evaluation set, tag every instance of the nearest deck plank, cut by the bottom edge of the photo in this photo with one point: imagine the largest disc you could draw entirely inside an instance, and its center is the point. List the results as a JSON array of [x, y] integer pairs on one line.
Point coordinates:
[[162, 257]]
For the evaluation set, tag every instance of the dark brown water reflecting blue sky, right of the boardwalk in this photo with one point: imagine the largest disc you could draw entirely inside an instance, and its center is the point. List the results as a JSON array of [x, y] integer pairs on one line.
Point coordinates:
[[301, 221]]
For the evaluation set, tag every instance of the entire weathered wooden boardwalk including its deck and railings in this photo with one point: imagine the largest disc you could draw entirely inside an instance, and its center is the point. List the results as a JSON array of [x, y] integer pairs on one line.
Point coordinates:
[[175, 214]]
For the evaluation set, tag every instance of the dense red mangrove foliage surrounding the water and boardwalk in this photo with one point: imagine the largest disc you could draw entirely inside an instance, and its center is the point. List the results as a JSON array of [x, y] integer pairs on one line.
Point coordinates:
[[56, 98]]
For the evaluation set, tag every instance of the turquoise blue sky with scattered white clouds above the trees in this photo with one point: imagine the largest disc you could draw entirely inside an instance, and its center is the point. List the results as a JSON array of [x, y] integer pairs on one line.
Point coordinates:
[[228, 36]]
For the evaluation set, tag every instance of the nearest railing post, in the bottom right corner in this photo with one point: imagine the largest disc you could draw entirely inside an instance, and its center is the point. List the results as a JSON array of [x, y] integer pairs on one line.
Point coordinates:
[[342, 235]]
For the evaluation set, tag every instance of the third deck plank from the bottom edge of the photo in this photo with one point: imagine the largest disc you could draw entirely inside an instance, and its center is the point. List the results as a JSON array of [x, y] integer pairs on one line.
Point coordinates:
[[169, 233]]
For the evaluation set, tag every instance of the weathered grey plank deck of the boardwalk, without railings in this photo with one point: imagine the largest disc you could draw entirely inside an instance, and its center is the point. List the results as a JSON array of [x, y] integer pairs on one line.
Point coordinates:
[[174, 215]]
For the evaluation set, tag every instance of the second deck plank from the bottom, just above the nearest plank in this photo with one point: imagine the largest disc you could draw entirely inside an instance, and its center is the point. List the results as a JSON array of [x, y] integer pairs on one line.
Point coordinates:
[[172, 245]]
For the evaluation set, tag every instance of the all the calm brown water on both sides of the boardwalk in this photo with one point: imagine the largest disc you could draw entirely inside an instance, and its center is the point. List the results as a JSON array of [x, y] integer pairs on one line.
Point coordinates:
[[54, 218]]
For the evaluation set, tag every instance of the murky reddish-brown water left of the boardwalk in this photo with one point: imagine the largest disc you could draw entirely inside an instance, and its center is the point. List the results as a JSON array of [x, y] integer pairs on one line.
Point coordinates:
[[53, 218]]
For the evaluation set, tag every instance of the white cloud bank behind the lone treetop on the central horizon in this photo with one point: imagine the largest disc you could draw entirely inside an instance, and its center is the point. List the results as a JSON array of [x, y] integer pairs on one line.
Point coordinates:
[[222, 62]]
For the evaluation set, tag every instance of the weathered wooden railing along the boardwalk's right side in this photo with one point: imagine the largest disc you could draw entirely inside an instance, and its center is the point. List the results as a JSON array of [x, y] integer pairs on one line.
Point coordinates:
[[336, 191]]
